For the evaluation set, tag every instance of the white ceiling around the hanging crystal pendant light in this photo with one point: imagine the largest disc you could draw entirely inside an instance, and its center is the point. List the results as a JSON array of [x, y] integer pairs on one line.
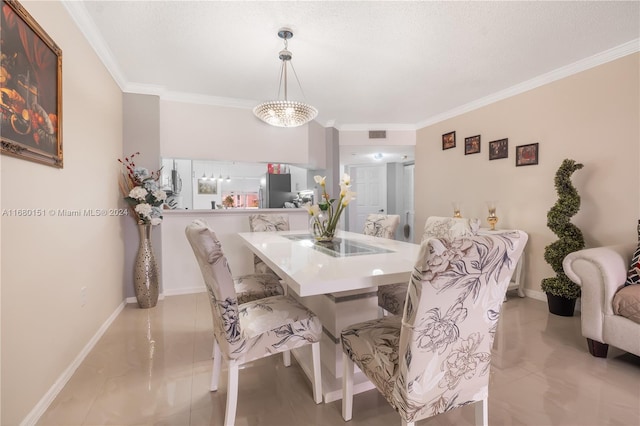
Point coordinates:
[[383, 64]]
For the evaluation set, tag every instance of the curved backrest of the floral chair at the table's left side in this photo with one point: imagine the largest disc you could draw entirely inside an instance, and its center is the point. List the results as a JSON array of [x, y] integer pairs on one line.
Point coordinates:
[[219, 282]]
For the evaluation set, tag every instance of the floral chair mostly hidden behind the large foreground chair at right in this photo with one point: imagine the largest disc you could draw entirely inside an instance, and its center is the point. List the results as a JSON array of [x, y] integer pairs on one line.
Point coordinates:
[[391, 297]]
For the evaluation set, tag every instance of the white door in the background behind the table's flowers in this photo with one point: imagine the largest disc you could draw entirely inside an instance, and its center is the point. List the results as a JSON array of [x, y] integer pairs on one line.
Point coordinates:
[[370, 184]]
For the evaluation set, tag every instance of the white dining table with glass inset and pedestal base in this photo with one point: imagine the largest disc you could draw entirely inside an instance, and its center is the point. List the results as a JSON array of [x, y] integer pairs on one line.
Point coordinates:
[[338, 281]]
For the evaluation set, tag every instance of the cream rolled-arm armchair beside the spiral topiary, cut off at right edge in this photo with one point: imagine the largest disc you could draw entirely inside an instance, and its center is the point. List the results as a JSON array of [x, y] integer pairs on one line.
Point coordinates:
[[601, 272]]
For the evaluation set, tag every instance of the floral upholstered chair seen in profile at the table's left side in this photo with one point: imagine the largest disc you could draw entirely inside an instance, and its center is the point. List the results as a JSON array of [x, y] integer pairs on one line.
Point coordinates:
[[253, 330]]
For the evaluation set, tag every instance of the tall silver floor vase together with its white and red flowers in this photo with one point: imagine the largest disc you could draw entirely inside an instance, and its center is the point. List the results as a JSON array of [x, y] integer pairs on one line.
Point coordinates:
[[145, 198]]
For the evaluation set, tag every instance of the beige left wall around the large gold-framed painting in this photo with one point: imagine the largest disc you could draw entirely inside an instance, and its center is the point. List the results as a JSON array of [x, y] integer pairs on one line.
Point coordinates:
[[47, 260]]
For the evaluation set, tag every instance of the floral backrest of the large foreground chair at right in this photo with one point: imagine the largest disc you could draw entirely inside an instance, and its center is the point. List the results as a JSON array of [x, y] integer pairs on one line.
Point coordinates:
[[450, 319]]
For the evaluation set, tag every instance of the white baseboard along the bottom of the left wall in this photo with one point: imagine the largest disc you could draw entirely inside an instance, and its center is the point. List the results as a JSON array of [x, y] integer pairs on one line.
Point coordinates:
[[42, 405]]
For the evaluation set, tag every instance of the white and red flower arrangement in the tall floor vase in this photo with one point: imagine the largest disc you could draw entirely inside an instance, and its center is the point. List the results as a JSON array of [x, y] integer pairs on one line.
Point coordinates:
[[142, 192]]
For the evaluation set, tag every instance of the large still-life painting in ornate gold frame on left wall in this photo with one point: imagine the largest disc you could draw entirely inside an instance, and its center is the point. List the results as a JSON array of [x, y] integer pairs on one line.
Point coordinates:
[[31, 88]]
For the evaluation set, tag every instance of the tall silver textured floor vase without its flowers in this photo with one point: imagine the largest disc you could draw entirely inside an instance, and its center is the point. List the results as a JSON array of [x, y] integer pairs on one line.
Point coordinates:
[[146, 271]]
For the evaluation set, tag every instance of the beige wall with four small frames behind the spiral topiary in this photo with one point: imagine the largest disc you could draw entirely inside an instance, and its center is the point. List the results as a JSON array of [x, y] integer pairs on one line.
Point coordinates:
[[591, 117]]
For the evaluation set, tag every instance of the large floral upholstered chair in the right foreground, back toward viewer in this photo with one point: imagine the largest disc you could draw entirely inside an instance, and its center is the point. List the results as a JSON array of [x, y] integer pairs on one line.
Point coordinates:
[[436, 356]]
